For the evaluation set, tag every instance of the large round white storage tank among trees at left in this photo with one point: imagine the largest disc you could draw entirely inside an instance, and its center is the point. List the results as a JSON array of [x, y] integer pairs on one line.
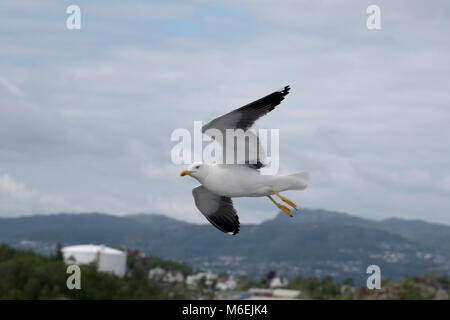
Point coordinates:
[[108, 259]]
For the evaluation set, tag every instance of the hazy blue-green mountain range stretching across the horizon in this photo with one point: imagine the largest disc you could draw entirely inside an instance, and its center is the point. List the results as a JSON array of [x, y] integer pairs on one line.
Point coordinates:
[[313, 242]]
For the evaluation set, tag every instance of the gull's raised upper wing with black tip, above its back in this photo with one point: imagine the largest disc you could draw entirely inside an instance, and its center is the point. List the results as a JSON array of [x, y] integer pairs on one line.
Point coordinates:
[[243, 118]]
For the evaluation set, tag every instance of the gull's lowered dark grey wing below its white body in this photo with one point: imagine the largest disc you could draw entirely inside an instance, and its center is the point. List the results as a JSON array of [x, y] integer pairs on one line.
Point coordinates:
[[218, 210]]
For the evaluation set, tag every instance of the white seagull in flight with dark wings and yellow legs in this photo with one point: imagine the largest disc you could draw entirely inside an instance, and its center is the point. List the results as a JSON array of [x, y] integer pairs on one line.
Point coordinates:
[[222, 182]]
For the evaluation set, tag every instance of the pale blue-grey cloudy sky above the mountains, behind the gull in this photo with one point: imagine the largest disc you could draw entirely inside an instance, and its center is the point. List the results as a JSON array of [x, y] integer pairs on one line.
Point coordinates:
[[86, 115]]
